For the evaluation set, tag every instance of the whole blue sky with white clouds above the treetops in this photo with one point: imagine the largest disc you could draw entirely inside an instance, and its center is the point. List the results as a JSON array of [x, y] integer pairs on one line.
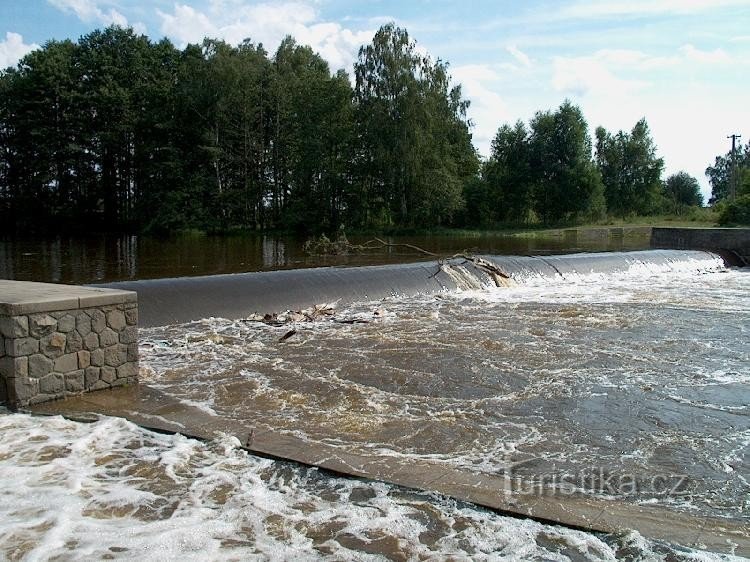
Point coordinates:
[[684, 65]]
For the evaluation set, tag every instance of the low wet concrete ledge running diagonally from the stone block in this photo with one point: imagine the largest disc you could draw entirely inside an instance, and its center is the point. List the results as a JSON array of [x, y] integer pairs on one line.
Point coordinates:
[[153, 409]]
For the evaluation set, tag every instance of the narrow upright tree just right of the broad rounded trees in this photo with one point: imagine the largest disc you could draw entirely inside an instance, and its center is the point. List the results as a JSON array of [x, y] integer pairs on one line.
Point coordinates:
[[630, 169]]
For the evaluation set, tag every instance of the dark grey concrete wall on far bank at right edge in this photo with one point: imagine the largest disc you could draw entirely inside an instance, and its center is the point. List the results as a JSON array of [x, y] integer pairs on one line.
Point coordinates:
[[734, 240]]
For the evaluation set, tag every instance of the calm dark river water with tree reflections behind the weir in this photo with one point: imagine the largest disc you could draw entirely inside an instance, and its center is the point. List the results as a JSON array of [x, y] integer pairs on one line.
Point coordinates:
[[105, 259]]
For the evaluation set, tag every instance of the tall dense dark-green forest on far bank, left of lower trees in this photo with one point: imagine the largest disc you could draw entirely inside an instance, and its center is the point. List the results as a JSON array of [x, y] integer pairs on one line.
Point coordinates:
[[117, 131]]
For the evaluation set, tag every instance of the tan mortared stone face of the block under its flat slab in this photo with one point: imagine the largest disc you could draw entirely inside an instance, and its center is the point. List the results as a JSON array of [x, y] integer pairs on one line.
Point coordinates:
[[52, 354]]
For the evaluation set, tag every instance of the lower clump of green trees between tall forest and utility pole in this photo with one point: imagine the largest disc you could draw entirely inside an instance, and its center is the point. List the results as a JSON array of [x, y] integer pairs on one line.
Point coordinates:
[[545, 172]]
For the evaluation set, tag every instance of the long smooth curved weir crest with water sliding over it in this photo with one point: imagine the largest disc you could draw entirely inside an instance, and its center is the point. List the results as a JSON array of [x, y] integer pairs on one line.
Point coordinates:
[[170, 301]]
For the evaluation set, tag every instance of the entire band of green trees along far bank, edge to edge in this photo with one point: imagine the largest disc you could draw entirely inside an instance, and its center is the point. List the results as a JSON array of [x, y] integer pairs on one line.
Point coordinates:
[[117, 132]]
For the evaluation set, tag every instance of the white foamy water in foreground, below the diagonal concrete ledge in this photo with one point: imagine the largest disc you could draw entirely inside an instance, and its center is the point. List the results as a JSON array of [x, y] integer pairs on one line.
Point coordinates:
[[109, 489]]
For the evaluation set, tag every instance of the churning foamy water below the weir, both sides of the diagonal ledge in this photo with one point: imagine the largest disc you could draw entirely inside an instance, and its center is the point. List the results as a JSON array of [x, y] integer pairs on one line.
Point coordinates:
[[630, 387]]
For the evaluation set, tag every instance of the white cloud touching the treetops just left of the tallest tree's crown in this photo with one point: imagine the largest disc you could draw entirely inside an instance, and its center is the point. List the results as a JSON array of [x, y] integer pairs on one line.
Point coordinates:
[[236, 20]]
